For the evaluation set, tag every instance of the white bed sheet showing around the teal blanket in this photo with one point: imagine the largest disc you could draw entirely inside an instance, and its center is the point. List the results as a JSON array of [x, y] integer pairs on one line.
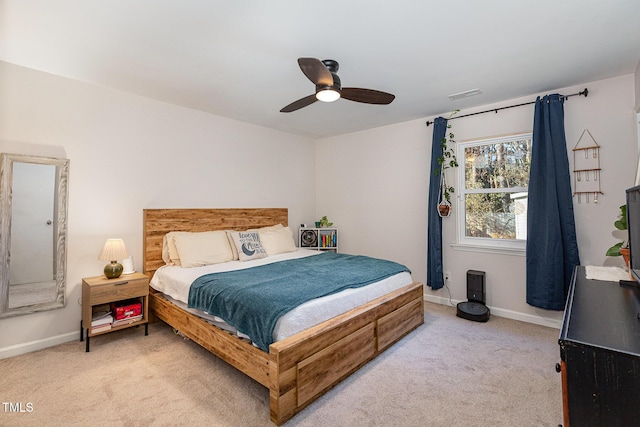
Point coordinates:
[[175, 281]]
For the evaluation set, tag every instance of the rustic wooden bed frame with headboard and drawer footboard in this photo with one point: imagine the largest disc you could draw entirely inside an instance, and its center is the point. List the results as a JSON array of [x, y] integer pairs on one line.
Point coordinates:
[[298, 369]]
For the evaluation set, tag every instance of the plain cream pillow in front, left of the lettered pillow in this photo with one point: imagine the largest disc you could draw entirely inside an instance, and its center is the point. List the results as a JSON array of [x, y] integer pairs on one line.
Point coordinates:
[[203, 248]]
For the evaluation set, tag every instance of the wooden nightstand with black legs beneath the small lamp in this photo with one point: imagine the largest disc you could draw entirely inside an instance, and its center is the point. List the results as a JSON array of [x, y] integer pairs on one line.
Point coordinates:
[[99, 290]]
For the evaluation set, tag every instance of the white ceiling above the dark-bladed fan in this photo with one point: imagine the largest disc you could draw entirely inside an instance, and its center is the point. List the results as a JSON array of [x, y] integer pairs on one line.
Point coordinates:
[[238, 59]]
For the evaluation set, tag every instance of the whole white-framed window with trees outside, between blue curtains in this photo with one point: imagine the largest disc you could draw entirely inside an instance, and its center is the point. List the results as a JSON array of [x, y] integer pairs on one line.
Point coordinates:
[[492, 189]]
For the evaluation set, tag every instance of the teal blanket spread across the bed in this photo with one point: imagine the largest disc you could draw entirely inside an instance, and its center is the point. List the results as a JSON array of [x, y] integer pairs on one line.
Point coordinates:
[[252, 300]]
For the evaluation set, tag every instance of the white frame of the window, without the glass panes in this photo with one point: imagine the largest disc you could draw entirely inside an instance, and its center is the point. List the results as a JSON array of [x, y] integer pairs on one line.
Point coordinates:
[[484, 244]]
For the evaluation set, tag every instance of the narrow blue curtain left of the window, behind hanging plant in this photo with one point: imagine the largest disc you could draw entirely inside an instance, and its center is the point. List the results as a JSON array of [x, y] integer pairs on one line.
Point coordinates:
[[434, 231]]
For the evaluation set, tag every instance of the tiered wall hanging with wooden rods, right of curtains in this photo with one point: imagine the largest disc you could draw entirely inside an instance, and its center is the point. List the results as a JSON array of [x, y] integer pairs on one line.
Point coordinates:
[[586, 168]]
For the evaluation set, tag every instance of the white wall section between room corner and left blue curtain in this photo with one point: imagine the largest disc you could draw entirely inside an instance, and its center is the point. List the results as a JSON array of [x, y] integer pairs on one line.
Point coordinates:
[[373, 187]]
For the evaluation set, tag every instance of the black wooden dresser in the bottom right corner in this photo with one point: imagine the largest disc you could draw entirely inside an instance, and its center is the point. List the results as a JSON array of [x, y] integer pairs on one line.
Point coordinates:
[[600, 354]]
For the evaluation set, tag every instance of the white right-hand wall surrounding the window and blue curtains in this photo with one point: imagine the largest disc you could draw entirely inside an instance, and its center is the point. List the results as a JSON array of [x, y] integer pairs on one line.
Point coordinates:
[[374, 186]]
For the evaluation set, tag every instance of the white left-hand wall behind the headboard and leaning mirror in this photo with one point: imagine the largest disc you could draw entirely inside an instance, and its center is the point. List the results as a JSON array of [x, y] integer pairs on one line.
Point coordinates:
[[129, 153]]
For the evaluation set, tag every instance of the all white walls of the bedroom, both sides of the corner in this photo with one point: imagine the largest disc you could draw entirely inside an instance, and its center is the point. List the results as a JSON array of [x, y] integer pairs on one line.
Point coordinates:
[[128, 153]]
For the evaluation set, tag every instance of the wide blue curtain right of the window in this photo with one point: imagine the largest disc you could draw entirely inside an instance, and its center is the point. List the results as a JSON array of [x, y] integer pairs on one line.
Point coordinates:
[[552, 248]]
